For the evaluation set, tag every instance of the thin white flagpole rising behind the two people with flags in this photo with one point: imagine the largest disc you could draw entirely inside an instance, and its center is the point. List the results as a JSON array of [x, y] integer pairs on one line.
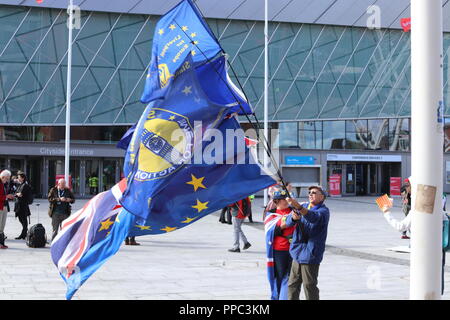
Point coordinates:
[[266, 91]]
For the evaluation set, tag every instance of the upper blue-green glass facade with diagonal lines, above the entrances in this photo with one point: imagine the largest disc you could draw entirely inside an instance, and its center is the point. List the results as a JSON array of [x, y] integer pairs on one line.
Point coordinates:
[[316, 71]]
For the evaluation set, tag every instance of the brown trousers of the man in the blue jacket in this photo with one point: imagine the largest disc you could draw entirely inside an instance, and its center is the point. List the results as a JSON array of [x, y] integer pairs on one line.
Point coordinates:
[[307, 275]]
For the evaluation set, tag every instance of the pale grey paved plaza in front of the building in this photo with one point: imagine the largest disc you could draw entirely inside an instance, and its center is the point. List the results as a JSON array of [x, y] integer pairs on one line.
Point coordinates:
[[193, 263]]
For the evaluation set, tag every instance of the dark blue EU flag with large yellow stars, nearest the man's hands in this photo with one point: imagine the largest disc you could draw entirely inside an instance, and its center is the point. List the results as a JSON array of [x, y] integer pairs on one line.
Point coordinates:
[[200, 189]]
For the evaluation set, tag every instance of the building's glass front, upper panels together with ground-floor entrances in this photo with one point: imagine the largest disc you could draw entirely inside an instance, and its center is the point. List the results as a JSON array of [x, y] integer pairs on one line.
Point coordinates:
[[332, 90]]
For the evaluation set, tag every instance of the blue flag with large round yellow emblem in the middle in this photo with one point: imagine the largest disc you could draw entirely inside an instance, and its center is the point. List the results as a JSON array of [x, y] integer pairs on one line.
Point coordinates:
[[164, 138]]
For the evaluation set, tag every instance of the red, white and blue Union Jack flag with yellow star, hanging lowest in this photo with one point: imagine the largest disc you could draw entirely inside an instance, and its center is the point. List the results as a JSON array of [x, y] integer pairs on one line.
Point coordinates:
[[90, 236]]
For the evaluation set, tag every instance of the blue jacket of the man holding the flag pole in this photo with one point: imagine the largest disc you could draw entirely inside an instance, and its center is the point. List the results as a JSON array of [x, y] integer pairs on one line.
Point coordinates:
[[308, 247]]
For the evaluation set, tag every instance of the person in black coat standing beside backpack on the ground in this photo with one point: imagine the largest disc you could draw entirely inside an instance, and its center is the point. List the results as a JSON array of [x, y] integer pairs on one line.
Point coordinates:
[[21, 208]]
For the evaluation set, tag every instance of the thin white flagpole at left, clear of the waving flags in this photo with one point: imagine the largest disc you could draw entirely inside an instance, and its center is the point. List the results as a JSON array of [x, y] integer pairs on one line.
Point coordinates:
[[68, 93]]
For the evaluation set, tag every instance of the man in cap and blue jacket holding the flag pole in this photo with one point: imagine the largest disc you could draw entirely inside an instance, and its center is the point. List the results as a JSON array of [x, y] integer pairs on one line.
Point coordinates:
[[308, 243]]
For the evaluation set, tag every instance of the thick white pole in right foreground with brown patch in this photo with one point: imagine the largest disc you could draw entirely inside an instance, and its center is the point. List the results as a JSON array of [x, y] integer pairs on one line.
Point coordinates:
[[426, 149]]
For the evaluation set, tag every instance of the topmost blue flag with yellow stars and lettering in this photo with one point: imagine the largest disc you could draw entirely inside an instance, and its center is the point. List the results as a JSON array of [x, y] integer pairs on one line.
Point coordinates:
[[178, 33]]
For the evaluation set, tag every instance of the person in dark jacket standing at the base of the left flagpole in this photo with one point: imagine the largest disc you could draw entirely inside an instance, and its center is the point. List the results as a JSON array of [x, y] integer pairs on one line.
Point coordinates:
[[60, 198]]
